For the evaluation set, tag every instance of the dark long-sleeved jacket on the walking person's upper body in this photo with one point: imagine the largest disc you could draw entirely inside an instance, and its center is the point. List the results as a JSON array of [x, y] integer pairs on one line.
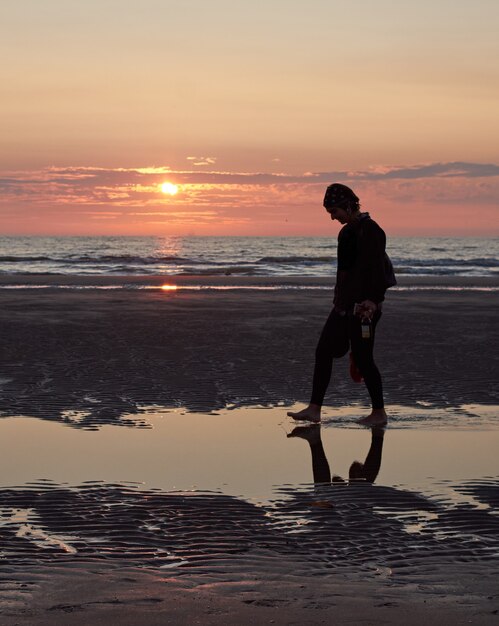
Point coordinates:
[[364, 270]]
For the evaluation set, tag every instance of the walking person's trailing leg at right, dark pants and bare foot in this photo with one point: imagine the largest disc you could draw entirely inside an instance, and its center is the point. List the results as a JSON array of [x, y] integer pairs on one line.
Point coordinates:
[[363, 354]]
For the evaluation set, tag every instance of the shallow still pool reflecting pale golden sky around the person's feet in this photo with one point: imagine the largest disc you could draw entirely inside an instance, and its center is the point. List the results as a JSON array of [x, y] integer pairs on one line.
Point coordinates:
[[242, 452]]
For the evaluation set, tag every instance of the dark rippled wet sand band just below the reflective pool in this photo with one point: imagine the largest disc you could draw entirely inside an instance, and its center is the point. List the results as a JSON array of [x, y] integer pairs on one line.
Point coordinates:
[[311, 529]]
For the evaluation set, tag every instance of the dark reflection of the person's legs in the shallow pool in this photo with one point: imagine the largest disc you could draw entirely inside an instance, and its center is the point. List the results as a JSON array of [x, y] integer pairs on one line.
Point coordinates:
[[367, 471]]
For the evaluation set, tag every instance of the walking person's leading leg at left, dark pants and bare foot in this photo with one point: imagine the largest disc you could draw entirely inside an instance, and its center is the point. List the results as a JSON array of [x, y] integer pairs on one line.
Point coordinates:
[[333, 343]]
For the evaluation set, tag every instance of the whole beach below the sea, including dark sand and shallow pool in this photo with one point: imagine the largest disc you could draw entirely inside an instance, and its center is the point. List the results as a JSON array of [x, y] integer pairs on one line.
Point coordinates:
[[202, 508]]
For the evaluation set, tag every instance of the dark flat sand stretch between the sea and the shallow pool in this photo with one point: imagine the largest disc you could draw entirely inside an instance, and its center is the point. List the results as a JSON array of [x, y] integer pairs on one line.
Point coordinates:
[[88, 361]]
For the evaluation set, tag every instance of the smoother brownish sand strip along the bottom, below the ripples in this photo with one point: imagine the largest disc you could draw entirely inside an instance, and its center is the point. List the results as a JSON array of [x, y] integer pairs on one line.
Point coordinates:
[[131, 597]]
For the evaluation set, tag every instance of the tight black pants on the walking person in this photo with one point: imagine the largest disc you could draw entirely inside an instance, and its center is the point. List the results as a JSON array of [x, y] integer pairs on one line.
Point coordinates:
[[339, 333]]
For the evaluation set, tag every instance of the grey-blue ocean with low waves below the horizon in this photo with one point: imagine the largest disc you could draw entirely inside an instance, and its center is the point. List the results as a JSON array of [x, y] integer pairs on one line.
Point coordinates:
[[244, 256]]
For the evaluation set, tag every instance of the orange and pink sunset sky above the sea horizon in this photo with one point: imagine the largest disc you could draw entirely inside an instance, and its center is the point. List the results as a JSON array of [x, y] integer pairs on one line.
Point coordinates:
[[250, 109]]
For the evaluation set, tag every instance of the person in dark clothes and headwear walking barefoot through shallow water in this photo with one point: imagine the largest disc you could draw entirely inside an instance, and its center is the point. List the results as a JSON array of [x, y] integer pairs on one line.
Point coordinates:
[[364, 273]]
